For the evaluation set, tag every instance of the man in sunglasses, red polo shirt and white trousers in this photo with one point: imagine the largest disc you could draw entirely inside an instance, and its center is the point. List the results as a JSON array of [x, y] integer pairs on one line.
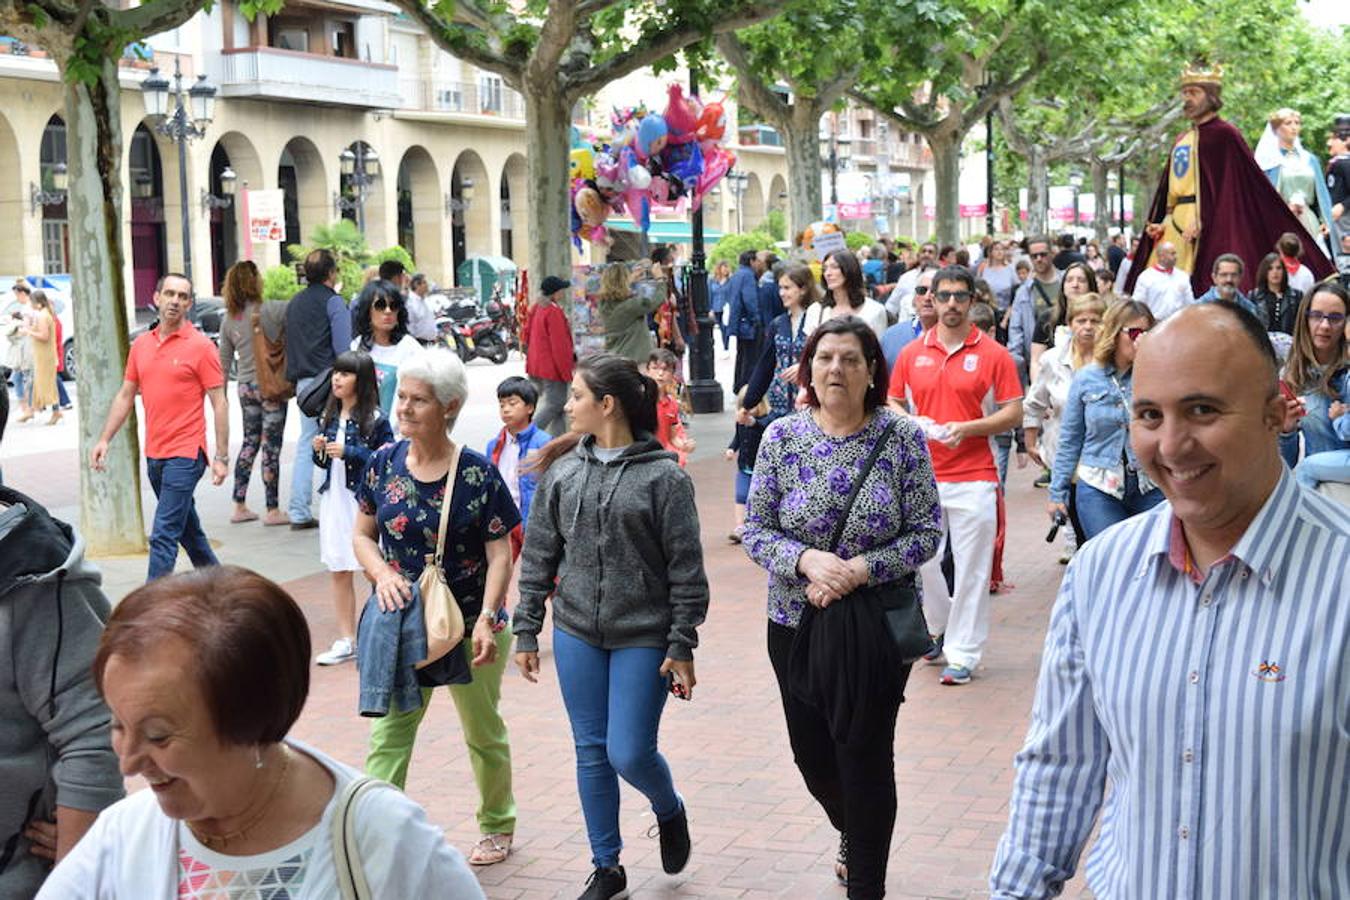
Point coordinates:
[[963, 387]]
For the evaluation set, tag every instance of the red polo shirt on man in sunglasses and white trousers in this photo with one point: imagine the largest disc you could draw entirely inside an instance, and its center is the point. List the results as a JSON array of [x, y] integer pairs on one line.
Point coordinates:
[[967, 384]]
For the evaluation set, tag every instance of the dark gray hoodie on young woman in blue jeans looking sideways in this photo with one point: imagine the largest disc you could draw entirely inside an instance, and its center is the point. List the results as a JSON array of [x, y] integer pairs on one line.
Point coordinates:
[[623, 542]]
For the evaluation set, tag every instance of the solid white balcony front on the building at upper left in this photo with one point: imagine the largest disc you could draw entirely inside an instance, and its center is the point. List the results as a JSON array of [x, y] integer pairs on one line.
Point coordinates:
[[290, 75]]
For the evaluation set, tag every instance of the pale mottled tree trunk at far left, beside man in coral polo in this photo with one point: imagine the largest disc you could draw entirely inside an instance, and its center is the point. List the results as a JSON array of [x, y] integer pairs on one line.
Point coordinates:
[[110, 503]]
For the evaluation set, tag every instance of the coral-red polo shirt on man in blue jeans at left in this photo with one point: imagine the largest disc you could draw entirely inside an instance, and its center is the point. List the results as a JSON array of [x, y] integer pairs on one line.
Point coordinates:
[[175, 376]]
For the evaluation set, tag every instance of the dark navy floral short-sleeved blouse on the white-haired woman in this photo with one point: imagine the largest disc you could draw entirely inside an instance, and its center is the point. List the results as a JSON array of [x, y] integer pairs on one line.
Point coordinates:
[[408, 516]]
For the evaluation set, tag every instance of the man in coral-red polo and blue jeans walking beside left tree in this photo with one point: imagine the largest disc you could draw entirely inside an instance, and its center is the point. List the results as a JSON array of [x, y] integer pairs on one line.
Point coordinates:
[[173, 366]]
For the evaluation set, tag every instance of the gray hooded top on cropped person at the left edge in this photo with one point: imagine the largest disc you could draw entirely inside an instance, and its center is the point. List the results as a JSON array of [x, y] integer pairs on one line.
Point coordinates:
[[55, 746]]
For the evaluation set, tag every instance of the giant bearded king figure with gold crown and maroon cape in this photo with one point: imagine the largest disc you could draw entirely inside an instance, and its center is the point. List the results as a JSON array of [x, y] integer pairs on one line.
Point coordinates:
[[1214, 198]]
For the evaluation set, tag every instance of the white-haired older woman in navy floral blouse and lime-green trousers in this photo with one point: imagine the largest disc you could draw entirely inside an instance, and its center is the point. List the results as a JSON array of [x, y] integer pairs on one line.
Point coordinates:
[[400, 500]]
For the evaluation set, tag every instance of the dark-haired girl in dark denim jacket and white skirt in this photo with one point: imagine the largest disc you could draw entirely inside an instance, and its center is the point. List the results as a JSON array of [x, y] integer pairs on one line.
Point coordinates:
[[352, 428]]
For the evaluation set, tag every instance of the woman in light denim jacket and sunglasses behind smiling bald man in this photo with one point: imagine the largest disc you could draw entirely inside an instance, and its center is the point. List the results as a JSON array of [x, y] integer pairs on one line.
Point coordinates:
[[1096, 431]]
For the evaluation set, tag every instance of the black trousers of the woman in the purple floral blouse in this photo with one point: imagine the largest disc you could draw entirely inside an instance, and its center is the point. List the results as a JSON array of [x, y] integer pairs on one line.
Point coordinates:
[[855, 786]]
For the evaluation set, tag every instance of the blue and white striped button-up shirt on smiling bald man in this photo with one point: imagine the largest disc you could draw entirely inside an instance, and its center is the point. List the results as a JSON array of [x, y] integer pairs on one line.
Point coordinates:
[[1218, 712]]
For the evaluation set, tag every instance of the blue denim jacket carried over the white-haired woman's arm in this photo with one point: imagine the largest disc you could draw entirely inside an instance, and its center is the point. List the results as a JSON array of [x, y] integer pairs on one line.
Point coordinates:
[[388, 648]]
